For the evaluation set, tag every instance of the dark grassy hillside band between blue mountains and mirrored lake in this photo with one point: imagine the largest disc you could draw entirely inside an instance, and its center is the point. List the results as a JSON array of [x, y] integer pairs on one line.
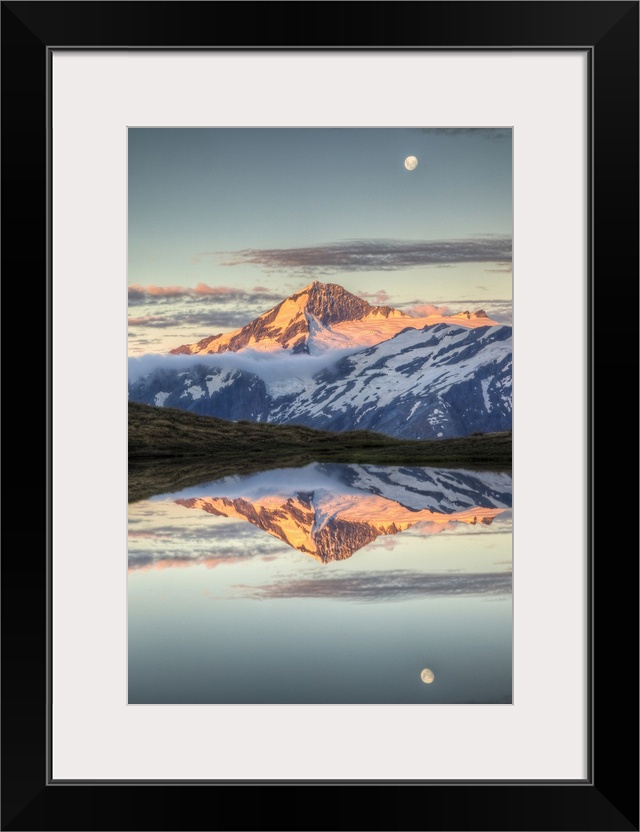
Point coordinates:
[[171, 449]]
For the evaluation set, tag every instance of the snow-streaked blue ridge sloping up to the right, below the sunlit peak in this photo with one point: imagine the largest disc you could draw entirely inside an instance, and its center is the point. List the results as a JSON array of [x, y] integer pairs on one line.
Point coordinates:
[[440, 381]]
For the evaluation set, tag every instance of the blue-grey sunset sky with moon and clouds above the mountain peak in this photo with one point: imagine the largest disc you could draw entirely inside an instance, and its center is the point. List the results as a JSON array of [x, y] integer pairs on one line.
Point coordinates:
[[224, 223]]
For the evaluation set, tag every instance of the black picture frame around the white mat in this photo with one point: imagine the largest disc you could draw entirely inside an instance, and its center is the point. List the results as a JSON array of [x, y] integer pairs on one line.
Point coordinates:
[[608, 798]]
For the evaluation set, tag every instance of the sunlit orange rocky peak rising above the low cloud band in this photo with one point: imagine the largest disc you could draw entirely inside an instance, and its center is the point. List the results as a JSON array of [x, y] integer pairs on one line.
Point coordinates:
[[319, 317]]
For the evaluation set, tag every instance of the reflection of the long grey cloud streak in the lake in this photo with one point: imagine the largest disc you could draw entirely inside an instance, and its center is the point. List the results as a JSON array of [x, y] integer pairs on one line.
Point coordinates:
[[394, 585]]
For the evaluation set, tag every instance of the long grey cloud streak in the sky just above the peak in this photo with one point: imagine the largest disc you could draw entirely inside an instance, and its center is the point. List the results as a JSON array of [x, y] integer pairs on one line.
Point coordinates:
[[377, 255]]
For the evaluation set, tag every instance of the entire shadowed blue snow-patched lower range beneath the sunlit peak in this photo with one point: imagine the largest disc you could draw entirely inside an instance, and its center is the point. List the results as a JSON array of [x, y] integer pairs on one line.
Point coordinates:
[[440, 381]]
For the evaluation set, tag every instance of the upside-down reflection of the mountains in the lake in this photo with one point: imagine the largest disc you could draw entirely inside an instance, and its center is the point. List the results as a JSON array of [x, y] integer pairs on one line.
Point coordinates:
[[331, 511]]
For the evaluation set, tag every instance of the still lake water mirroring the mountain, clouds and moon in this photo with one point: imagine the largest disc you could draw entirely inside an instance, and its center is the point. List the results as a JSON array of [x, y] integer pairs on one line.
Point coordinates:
[[330, 584]]
